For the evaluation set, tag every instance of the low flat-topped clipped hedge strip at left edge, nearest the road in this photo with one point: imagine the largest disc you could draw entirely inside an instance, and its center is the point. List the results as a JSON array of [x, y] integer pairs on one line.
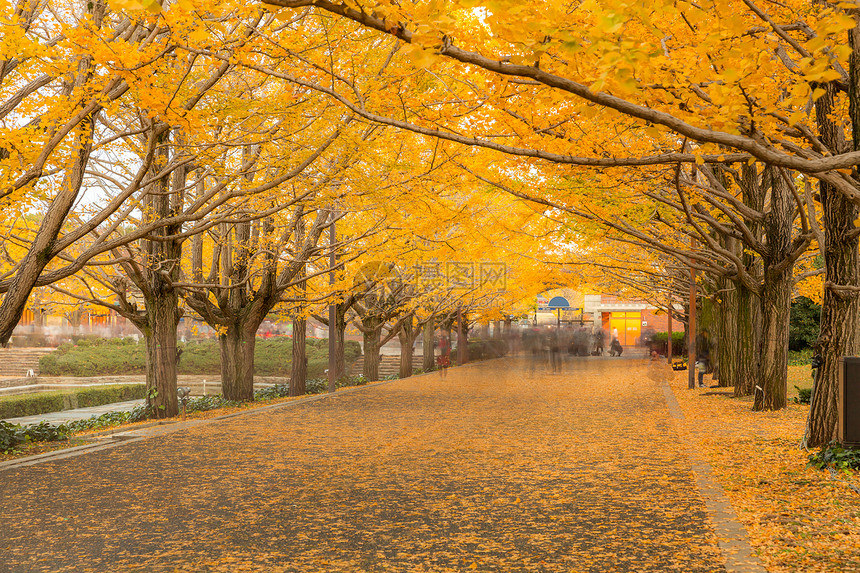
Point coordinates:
[[56, 401]]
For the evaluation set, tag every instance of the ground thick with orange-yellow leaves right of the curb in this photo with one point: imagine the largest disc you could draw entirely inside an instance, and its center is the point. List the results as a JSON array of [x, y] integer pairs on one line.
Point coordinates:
[[799, 518]]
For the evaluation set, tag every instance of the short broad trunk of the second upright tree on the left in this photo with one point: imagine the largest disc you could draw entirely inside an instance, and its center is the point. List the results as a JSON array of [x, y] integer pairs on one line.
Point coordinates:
[[237, 362]]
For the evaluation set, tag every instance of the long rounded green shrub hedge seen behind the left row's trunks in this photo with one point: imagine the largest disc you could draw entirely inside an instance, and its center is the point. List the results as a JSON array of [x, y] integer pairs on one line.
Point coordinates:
[[113, 356]]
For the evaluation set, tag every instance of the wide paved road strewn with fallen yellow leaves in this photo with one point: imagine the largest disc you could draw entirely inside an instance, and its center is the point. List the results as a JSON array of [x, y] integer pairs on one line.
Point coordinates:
[[499, 467]]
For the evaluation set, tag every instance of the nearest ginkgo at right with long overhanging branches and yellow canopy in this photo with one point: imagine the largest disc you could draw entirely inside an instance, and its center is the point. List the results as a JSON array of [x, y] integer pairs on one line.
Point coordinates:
[[743, 82]]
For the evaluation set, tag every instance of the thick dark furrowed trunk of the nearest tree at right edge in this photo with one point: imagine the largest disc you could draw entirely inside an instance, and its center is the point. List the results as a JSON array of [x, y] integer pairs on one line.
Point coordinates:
[[838, 328]]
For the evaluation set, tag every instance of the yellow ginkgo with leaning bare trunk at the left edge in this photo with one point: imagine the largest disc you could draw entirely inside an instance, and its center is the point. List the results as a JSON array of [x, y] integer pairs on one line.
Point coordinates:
[[67, 69]]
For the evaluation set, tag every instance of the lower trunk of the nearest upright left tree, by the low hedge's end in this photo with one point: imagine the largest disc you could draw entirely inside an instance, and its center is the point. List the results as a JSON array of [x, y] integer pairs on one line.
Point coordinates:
[[160, 333]]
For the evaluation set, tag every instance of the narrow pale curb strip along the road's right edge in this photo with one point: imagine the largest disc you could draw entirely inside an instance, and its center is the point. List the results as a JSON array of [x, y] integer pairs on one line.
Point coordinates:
[[732, 538]]
